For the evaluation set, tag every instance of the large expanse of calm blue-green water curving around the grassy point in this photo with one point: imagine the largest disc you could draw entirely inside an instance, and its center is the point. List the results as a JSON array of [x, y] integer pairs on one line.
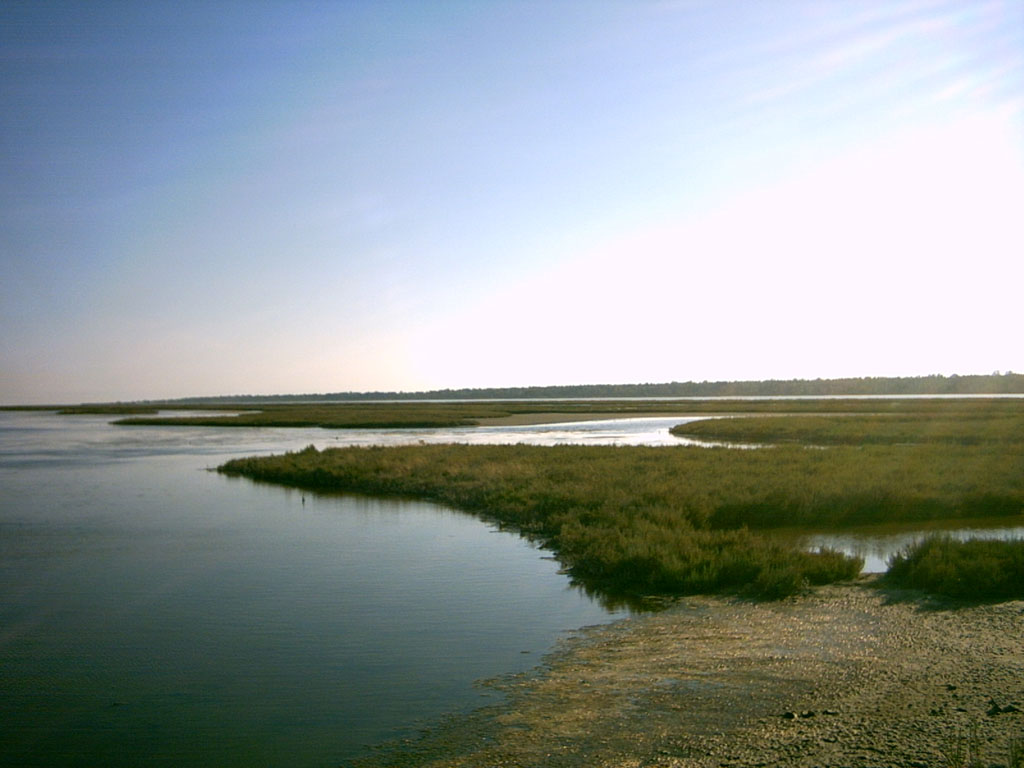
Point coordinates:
[[154, 613]]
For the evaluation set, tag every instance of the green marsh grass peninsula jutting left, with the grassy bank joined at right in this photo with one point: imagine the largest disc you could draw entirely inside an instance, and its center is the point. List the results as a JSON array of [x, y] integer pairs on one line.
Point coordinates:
[[677, 521]]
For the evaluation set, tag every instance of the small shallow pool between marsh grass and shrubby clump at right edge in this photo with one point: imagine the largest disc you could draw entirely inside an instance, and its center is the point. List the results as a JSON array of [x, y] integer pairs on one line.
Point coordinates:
[[878, 544]]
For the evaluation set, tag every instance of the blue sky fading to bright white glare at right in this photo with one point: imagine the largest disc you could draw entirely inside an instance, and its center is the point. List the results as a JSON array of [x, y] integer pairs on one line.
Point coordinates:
[[258, 198]]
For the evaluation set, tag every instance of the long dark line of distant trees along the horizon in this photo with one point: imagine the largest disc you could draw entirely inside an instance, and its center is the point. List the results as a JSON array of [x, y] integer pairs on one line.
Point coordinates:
[[1008, 383]]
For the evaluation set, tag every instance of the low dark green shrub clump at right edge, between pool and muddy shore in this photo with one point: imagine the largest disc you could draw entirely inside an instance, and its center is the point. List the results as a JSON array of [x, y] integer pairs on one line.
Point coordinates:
[[975, 570]]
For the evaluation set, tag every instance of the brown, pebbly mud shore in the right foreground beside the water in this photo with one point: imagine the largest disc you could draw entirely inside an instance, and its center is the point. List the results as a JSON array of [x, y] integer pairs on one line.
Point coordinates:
[[847, 676]]
